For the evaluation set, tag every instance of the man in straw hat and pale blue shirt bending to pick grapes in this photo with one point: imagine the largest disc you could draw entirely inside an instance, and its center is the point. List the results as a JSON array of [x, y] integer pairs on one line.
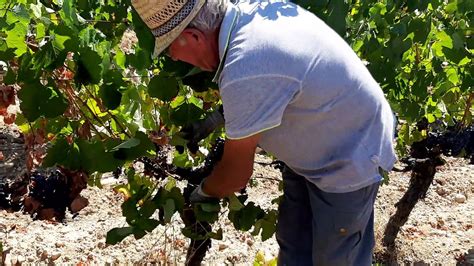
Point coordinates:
[[292, 86]]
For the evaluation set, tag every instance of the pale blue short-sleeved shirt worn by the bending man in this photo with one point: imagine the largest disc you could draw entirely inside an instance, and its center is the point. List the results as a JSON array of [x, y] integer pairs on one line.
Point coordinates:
[[287, 75]]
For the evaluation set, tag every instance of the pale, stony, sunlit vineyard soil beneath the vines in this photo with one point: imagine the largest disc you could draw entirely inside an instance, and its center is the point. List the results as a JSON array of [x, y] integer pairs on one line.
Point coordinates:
[[439, 230]]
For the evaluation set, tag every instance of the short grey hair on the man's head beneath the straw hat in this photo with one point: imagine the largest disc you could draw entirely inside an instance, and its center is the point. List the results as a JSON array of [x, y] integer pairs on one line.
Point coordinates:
[[209, 18]]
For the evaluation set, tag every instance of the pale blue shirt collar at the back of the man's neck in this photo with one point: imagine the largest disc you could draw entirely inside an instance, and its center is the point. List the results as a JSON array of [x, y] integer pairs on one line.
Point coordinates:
[[225, 31]]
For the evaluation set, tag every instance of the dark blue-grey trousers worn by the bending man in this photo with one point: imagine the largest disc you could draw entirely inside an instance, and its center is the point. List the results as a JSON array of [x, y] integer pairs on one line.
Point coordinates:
[[321, 228]]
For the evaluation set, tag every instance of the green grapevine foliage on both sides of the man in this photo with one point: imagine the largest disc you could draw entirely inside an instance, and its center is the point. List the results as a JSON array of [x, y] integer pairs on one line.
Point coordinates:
[[69, 59]]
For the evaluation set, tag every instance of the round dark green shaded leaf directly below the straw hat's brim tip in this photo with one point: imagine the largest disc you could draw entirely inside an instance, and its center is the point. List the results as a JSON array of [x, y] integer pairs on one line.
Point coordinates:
[[163, 88]]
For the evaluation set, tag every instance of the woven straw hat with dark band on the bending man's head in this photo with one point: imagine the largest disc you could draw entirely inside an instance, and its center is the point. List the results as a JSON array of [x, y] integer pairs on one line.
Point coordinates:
[[166, 18]]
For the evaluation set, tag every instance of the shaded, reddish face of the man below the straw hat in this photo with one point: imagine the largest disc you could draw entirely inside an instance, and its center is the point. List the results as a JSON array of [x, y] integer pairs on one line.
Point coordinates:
[[196, 48]]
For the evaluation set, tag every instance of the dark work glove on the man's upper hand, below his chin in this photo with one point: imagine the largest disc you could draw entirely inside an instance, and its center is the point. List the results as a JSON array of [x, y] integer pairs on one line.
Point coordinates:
[[199, 130]]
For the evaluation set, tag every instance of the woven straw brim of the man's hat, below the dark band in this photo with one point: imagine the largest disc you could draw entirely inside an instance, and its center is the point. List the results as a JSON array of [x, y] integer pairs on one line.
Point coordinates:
[[162, 42]]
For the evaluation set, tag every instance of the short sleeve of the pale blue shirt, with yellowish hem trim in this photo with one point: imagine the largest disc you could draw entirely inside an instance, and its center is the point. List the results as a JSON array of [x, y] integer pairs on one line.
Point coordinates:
[[255, 104]]
